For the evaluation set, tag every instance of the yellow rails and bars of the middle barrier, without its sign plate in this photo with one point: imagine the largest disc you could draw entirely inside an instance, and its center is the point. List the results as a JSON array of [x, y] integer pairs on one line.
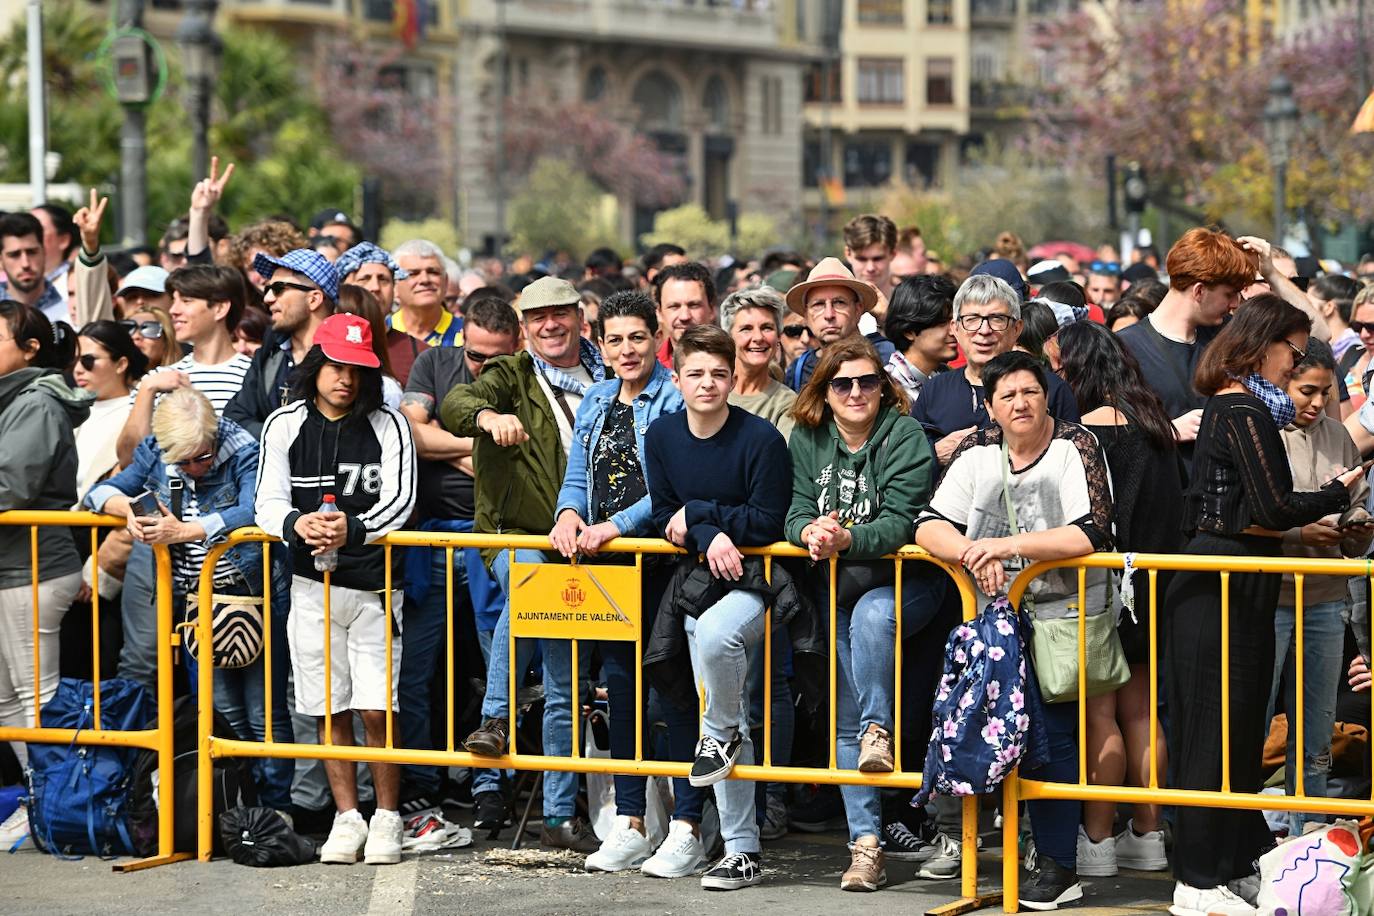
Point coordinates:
[[215, 748]]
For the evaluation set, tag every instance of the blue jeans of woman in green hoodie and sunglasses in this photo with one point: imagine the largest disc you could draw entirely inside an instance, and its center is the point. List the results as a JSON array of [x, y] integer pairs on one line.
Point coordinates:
[[865, 641]]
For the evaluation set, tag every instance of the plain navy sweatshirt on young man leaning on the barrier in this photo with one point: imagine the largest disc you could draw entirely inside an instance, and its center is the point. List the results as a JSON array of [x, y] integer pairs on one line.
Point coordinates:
[[739, 481]]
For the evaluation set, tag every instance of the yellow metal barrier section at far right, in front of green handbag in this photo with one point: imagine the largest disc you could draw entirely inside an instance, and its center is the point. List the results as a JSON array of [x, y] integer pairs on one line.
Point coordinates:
[[1017, 790]]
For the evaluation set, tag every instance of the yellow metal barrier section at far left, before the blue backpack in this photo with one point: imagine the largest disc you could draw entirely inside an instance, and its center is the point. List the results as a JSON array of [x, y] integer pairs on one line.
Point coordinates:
[[157, 740]]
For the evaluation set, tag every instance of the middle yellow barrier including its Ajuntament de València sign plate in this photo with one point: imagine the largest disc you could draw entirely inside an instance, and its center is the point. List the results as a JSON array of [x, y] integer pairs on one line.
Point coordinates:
[[598, 616]]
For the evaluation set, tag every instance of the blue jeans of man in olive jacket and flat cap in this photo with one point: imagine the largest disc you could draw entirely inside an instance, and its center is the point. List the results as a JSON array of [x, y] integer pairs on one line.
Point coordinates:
[[560, 789]]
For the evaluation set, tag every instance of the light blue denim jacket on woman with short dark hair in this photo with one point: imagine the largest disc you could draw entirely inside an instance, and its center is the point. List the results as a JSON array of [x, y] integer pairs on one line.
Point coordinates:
[[659, 398]]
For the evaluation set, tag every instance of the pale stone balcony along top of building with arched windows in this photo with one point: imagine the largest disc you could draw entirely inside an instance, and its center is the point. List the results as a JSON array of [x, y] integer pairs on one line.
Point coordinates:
[[730, 25]]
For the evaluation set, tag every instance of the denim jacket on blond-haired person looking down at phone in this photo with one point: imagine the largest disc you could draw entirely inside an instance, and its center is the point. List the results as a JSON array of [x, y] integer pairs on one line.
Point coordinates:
[[225, 494]]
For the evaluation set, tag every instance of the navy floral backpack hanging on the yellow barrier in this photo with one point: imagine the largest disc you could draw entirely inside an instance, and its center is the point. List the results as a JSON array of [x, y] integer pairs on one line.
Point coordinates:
[[987, 712]]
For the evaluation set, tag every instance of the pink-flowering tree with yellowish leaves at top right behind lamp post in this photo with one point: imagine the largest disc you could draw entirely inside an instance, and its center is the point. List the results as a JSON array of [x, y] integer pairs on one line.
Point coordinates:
[[1173, 87]]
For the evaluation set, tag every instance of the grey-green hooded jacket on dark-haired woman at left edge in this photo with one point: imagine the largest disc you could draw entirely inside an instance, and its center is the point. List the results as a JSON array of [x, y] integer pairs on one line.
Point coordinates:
[[38, 469]]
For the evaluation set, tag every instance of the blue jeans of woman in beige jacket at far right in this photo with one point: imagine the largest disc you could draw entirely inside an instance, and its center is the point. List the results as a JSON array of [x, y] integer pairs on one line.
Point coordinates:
[[1324, 643]]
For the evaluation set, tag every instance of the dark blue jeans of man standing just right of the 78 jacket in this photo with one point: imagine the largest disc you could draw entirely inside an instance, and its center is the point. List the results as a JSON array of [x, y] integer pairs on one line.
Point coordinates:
[[425, 643]]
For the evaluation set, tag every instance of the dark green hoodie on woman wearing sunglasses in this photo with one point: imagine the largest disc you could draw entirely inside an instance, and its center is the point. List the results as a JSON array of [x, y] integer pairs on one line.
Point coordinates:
[[879, 491]]
